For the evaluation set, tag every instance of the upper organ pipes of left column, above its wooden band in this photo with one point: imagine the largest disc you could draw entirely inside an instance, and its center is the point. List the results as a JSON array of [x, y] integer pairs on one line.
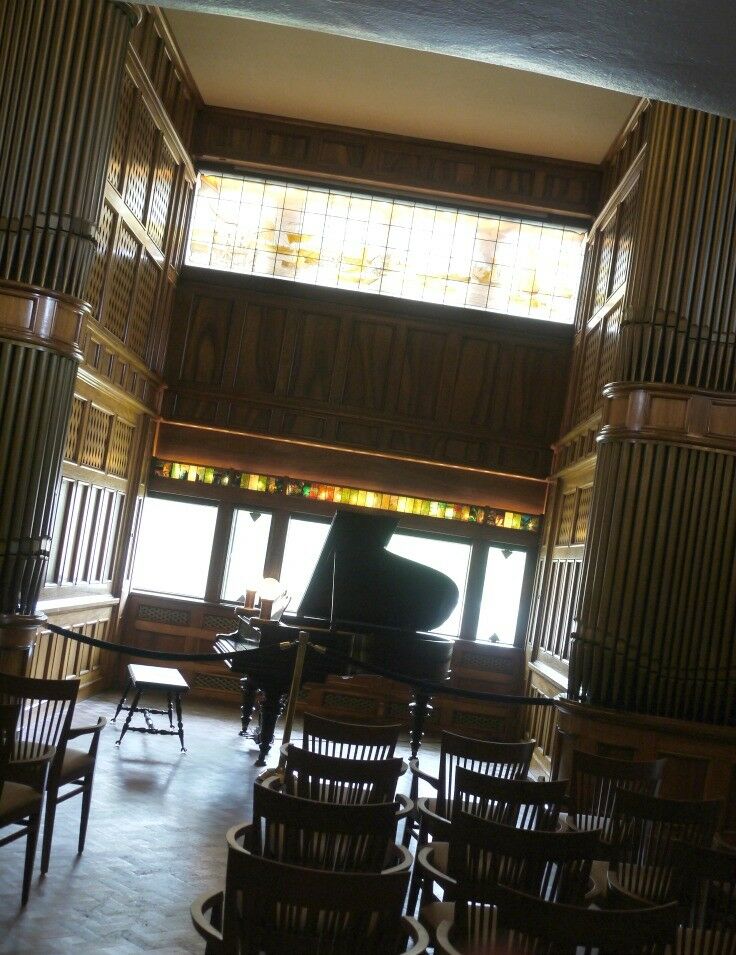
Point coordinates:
[[49, 200]]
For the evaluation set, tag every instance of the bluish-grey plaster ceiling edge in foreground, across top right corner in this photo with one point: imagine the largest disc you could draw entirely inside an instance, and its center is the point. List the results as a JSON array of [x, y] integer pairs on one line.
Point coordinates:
[[674, 50]]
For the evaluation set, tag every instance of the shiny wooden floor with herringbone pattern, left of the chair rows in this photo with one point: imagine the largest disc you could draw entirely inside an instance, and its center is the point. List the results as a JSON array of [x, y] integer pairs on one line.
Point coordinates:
[[156, 839]]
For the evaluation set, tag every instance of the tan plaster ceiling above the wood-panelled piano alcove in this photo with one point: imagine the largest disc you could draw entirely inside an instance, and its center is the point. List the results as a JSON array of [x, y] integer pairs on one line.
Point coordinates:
[[251, 65]]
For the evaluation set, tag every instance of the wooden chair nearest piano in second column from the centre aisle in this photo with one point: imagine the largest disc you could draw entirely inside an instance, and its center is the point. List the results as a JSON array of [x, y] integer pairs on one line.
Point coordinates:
[[504, 760]]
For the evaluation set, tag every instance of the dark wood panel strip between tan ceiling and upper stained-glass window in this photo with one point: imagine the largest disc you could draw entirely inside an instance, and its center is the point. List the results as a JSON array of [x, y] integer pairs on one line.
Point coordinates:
[[484, 177]]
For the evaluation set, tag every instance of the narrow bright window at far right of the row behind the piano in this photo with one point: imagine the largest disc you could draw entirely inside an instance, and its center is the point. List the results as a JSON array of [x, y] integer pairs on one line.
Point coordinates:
[[499, 606]]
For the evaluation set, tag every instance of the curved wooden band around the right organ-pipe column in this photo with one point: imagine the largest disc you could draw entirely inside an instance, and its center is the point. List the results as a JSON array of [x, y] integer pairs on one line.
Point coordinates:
[[675, 414]]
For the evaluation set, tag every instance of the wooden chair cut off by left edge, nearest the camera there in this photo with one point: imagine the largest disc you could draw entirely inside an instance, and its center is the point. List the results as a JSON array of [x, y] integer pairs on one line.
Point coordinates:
[[21, 802]]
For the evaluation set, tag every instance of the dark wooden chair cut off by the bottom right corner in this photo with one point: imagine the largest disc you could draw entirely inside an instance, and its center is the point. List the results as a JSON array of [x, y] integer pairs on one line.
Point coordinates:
[[705, 882]]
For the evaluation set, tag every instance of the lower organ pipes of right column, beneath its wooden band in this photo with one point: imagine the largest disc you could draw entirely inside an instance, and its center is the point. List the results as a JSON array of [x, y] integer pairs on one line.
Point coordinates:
[[649, 655]]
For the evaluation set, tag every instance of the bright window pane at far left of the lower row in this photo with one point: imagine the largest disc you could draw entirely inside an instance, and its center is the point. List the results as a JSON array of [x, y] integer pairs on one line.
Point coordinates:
[[174, 547]]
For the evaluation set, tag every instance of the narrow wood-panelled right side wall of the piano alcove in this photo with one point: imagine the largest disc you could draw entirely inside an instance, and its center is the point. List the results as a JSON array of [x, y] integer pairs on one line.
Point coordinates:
[[559, 577]]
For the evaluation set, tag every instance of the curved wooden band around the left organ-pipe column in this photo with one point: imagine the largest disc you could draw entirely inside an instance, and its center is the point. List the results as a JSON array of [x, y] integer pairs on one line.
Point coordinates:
[[37, 316]]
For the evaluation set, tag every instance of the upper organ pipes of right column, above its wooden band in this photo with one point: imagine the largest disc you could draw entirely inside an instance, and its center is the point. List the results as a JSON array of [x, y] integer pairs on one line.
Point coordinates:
[[686, 333]]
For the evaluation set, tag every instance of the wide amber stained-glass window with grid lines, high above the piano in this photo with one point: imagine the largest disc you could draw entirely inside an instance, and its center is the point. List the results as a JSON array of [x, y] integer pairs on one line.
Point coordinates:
[[370, 243]]
